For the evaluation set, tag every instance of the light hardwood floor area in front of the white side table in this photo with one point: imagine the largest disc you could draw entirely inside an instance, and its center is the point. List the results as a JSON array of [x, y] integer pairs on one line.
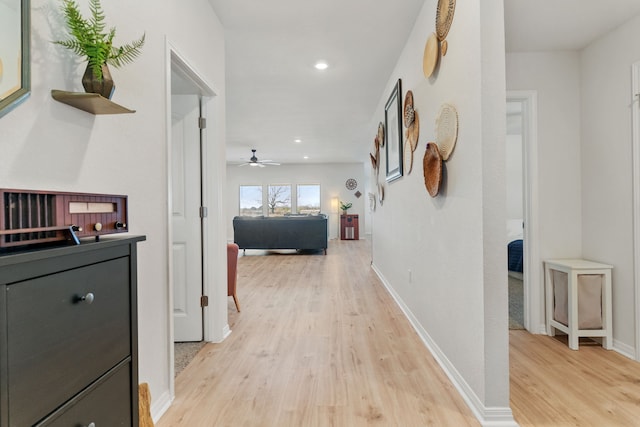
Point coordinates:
[[552, 385]]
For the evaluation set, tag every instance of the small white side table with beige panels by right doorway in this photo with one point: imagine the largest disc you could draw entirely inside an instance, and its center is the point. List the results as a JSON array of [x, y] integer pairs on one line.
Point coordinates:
[[582, 277]]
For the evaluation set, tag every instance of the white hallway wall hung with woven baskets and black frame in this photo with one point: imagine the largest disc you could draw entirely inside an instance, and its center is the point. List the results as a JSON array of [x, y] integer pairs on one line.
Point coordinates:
[[444, 258]]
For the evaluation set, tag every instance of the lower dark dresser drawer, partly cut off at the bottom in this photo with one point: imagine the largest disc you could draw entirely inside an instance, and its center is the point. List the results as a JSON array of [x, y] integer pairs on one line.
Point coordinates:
[[105, 404]]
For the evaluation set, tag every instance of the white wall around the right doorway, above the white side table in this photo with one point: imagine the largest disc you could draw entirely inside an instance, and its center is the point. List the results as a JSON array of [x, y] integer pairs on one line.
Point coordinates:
[[556, 78]]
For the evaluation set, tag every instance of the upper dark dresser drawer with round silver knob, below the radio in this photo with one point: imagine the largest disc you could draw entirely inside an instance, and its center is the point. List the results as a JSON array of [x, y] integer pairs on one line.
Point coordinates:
[[57, 343]]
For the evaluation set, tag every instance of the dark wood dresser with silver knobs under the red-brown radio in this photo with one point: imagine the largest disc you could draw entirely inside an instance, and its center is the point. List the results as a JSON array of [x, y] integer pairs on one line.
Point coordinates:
[[68, 335]]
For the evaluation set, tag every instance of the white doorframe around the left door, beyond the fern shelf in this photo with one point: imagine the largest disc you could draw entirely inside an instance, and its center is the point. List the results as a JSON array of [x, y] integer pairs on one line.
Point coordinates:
[[174, 61]]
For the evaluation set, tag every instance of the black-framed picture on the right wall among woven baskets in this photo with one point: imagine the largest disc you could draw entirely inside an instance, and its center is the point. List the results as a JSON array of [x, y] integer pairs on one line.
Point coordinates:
[[393, 126]]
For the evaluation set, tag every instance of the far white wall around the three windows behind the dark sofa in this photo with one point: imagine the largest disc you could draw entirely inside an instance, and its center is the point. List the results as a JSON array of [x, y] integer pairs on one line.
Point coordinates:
[[331, 177]]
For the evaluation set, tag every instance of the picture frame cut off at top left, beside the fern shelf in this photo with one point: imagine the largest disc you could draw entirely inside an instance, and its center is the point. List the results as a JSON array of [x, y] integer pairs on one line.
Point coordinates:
[[15, 62]]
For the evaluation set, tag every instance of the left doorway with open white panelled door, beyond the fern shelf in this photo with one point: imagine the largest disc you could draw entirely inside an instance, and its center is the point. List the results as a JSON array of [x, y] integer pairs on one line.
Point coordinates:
[[187, 193]]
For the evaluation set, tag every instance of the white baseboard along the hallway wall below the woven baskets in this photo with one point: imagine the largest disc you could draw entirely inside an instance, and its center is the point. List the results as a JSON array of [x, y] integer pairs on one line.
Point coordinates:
[[488, 416]]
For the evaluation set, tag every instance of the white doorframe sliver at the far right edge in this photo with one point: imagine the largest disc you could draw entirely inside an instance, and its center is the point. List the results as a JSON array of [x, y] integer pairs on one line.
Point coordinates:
[[635, 119]]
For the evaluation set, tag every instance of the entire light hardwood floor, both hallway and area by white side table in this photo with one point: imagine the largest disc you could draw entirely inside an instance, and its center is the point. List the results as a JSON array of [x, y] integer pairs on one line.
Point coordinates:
[[321, 343]]
